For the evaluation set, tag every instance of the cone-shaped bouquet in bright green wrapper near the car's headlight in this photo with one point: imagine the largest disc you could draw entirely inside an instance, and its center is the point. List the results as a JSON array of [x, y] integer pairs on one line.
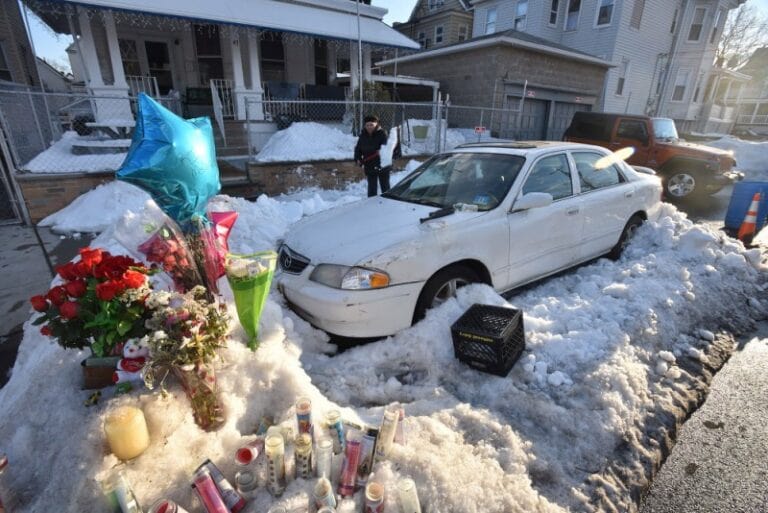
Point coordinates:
[[250, 277]]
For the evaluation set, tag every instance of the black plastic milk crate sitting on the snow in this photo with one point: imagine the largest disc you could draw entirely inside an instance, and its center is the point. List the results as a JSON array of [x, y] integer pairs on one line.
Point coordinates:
[[489, 338]]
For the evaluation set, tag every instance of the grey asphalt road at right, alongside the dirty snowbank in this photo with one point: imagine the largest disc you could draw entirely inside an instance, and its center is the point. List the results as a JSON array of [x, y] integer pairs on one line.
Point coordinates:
[[719, 463]]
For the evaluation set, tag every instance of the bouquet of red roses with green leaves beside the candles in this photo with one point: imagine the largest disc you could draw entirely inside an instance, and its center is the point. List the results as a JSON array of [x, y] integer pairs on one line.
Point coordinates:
[[100, 303]]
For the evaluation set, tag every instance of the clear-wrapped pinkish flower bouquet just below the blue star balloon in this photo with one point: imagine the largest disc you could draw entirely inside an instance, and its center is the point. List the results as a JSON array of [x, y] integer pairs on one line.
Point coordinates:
[[157, 239]]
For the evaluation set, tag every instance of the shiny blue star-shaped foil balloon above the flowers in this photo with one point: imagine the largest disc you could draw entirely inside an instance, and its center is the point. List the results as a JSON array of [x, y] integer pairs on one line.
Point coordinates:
[[173, 159]]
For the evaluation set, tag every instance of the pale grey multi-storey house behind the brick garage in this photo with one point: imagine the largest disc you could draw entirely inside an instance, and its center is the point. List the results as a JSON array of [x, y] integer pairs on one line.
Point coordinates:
[[662, 51]]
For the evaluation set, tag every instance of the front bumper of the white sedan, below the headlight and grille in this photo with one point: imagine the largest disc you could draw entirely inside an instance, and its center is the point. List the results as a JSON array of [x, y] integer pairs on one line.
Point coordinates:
[[350, 313]]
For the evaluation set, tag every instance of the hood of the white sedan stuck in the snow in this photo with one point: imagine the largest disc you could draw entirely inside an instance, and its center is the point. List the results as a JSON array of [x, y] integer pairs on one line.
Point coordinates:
[[349, 234]]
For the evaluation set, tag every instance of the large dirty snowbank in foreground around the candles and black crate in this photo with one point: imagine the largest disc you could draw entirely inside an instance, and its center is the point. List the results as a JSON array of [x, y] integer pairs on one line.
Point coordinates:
[[608, 352]]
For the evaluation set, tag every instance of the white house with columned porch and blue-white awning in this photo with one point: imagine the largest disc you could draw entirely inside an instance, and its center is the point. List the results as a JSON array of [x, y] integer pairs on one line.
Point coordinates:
[[212, 52]]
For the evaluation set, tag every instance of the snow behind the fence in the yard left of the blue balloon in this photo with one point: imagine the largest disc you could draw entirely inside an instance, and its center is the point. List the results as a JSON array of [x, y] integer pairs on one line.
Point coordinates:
[[60, 159]]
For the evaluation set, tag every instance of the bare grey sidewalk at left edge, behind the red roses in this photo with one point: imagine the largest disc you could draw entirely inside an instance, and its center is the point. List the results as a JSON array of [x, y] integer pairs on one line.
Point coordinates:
[[27, 260]]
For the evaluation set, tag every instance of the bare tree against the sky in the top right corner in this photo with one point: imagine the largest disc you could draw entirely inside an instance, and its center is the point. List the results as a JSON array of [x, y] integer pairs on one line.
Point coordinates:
[[745, 30]]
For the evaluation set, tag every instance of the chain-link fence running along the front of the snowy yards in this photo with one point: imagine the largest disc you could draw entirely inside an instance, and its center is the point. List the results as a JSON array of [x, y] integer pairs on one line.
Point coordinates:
[[81, 133]]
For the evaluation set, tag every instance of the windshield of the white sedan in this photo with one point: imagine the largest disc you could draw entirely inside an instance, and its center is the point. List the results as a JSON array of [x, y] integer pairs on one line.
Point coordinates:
[[479, 179]]
